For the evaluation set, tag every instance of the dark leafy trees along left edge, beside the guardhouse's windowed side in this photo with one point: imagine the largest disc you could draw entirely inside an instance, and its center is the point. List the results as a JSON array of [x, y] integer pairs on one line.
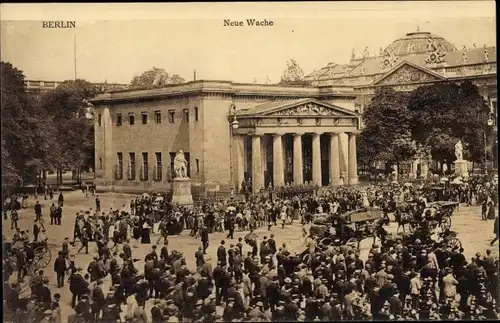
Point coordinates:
[[45, 131]]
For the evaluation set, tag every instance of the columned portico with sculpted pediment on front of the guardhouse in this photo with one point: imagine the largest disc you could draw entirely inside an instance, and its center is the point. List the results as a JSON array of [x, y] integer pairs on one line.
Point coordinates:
[[320, 159]]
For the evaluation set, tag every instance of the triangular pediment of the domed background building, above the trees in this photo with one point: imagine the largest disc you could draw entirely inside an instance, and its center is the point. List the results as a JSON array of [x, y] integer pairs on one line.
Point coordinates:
[[408, 73]]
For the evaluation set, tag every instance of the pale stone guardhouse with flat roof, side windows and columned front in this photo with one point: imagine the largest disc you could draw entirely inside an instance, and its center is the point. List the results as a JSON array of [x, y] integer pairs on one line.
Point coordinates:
[[193, 117]]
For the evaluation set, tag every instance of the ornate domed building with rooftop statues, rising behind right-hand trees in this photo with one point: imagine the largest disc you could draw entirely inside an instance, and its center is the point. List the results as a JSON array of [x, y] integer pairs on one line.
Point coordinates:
[[418, 58]]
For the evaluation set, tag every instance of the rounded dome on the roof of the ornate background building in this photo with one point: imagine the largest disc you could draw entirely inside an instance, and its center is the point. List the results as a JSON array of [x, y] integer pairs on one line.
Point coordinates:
[[417, 42]]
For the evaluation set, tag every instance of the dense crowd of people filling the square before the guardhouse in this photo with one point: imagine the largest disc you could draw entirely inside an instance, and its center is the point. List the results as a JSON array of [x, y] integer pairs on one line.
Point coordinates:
[[404, 277]]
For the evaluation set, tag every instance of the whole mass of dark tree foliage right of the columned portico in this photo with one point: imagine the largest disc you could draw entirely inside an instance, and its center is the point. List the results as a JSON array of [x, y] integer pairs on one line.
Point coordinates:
[[400, 126]]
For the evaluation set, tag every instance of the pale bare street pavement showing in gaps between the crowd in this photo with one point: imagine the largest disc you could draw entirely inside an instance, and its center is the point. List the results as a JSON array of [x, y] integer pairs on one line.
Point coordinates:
[[473, 233]]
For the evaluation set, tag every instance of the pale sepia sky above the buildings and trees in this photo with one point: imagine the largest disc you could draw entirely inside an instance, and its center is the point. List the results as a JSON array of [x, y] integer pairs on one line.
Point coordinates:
[[114, 42]]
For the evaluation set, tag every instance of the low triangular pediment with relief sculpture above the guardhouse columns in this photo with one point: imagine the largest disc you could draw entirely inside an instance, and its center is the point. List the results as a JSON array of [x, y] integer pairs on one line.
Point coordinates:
[[301, 107]]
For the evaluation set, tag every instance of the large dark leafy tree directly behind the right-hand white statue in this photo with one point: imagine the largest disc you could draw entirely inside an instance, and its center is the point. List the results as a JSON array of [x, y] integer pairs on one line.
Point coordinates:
[[444, 113]]
